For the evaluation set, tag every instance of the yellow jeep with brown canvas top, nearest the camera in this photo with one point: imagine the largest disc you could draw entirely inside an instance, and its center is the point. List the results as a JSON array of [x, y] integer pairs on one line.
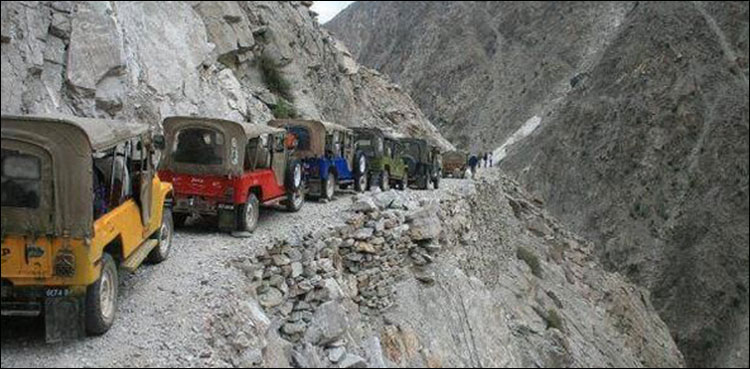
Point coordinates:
[[80, 199]]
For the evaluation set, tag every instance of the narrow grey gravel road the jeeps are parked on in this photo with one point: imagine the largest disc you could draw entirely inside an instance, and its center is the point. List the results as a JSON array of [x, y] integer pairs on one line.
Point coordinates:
[[163, 308]]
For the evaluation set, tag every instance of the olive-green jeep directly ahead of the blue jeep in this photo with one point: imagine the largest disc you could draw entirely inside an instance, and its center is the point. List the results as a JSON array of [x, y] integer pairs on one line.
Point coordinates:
[[383, 151]]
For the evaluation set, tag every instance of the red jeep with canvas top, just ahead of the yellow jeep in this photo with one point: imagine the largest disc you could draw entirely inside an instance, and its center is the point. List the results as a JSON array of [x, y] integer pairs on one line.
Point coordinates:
[[228, 169]]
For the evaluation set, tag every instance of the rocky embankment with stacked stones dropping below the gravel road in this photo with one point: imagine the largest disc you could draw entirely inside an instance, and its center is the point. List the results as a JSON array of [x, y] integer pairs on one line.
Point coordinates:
[[408, 279]]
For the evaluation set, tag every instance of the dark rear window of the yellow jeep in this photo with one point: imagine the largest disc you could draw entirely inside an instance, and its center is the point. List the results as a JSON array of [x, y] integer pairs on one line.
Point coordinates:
[[21, 180]]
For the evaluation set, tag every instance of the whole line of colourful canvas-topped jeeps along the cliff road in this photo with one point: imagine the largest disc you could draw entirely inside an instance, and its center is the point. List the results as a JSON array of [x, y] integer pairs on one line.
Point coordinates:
[[84, 199]]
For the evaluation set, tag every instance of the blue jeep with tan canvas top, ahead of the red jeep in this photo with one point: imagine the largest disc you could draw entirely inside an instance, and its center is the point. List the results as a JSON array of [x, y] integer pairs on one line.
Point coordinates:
[[328, 154]]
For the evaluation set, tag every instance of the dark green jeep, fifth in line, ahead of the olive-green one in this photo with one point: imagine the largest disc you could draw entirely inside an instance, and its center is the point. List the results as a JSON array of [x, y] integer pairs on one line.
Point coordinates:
[[424, 162]]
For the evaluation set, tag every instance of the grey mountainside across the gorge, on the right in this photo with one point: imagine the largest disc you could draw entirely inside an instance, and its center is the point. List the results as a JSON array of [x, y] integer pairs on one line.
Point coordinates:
[[630, 120]]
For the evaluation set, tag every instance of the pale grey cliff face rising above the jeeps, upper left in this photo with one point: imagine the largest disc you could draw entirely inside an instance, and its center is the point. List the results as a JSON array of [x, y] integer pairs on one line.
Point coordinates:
[[145, 60]]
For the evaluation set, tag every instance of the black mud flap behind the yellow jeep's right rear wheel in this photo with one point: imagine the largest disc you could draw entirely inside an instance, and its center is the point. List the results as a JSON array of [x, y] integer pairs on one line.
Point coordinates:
[[64, 318]]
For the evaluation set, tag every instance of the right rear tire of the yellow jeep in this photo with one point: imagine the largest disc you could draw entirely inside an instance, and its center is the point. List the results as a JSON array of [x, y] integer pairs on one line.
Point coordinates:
[[101, 299]]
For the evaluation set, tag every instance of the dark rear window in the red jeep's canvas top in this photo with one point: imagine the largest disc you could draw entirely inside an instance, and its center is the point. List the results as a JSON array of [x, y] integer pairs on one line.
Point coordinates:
[[201, 146]]
